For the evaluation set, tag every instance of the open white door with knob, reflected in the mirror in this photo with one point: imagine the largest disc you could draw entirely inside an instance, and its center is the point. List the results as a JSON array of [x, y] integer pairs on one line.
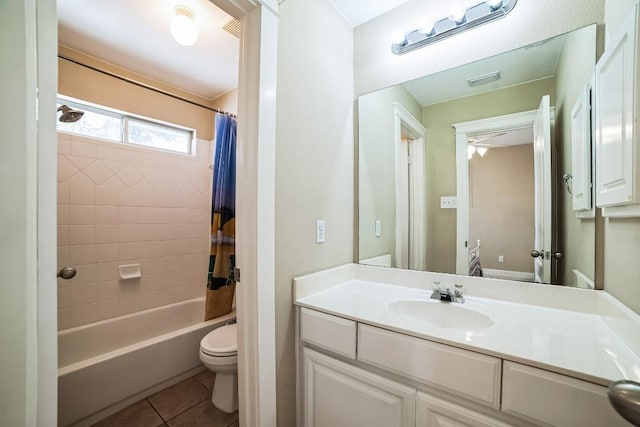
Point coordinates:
[[542, 192]]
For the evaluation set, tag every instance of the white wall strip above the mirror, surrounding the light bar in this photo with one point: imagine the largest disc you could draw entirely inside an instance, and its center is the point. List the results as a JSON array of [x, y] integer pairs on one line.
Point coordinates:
[[531, 21]]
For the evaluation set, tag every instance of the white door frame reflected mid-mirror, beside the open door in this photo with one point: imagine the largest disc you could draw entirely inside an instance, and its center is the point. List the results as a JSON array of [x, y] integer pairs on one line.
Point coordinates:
[[463, 131]]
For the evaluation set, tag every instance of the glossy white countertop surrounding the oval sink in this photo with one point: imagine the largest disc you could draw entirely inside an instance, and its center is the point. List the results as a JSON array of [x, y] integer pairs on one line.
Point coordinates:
[[579, 343]]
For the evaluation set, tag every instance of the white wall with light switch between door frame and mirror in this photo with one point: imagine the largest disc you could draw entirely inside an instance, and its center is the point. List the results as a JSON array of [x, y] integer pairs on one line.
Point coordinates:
[[314, 163]]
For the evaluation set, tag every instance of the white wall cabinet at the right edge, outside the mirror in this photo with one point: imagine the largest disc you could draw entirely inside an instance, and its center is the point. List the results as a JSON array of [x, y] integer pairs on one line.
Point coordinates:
[[616, 112]]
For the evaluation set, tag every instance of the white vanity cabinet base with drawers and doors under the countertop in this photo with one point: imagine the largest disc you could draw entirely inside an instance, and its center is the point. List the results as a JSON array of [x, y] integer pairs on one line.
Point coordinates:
[[355, 374]]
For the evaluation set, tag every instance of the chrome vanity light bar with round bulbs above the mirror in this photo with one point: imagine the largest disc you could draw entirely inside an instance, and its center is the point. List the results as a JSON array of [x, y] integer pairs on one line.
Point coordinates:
[[474, 16]]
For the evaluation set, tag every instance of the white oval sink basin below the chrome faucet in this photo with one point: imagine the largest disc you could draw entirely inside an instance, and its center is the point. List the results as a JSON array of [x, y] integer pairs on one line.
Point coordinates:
[[441, 315]]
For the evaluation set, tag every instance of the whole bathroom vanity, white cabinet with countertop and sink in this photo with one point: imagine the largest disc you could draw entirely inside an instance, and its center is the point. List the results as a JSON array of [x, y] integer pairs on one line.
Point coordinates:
[[375, 350]]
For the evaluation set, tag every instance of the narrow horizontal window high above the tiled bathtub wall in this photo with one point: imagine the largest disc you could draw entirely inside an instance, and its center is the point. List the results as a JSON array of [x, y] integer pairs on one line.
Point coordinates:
[[111, 125]]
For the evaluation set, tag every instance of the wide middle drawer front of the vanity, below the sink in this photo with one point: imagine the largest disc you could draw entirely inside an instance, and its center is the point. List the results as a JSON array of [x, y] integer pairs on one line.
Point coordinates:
[[464, 373]]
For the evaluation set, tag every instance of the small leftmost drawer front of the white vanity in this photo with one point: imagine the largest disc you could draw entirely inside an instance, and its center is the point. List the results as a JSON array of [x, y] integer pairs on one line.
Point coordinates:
[[329, 332]]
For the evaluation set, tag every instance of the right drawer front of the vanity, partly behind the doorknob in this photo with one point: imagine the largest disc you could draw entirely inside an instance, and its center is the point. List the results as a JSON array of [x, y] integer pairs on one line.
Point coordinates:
[[546, 398]]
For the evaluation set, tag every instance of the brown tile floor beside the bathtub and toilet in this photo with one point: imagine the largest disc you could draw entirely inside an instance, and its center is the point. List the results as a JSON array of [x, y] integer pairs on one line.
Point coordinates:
[[187, 403]]
